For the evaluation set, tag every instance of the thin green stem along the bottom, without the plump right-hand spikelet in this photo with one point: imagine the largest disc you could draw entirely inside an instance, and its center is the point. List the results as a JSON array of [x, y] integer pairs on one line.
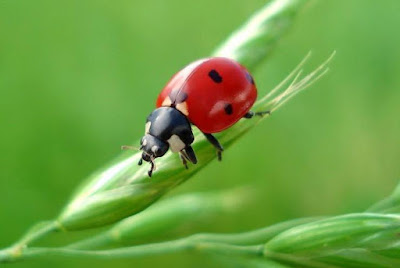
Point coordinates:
[[235, 244]]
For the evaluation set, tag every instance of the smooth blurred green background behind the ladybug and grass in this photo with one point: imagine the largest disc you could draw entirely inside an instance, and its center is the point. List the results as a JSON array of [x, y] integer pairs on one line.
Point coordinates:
[[78, 78]]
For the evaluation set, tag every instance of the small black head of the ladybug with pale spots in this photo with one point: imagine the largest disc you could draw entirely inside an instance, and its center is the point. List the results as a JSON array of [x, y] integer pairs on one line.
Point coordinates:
[[152, 147]]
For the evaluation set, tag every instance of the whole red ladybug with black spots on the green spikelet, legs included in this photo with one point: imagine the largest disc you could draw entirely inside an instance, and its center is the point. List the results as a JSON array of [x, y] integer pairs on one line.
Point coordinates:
[[212, 94]]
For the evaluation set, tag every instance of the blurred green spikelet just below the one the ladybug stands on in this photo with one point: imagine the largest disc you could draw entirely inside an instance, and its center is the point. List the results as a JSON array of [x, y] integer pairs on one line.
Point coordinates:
[[168, 215]]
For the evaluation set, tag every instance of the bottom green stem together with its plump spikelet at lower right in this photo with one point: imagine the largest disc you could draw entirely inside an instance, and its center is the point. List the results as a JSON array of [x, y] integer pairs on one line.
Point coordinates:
[[352, 240]]
